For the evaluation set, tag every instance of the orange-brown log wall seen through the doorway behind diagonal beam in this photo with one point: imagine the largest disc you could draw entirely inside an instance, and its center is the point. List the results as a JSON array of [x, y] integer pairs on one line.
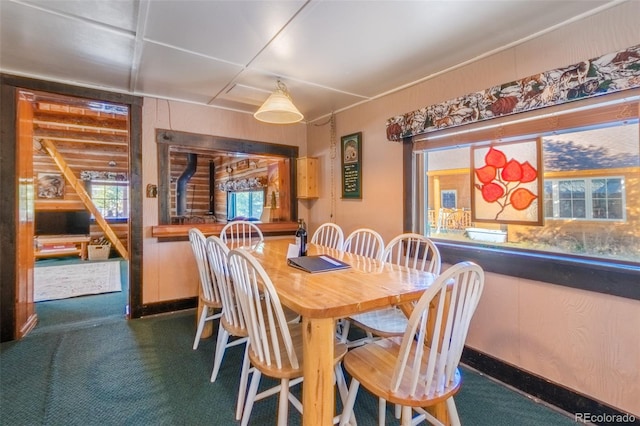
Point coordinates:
[[87, 140]]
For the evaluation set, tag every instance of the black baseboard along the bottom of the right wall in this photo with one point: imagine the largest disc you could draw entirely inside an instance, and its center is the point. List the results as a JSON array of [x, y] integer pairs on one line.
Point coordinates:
[[552, 393]]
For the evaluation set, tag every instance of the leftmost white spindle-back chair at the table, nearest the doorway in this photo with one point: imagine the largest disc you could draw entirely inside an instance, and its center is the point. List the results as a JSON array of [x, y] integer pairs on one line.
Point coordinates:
[[209, 296]]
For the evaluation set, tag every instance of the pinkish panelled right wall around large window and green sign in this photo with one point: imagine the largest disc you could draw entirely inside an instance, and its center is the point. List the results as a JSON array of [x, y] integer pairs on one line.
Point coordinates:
[[586, 341]]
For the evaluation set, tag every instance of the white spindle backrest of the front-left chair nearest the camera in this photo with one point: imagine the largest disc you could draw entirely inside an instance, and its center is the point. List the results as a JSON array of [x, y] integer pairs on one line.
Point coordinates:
[[262, 310]]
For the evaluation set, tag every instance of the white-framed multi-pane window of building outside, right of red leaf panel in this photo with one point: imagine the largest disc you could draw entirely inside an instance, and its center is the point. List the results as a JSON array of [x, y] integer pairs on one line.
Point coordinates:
[[592, 199]]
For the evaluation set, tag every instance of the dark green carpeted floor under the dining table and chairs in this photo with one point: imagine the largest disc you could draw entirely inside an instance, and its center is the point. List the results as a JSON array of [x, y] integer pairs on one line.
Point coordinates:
[[109, 371]]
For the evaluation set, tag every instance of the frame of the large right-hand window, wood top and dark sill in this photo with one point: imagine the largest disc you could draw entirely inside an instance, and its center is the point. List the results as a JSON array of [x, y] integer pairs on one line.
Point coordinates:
[[612, 277]]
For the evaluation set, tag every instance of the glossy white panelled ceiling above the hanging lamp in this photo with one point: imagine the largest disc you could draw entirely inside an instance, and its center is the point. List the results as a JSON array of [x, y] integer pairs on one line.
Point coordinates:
[[331, 54]]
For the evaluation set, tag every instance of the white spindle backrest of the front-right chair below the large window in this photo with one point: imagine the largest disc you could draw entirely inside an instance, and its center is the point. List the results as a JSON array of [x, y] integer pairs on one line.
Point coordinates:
[[455, 294]]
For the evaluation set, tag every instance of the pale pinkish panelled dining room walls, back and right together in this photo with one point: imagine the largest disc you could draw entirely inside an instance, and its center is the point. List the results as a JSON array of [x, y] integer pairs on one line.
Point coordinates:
[[585, 341]]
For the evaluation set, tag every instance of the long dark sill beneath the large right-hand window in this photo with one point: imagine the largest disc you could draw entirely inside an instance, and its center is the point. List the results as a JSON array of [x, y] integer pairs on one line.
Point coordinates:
[[608, 277]]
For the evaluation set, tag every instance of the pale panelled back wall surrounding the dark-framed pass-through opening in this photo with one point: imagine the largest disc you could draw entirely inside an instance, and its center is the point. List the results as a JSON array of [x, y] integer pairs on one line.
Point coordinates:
[[169, 270]]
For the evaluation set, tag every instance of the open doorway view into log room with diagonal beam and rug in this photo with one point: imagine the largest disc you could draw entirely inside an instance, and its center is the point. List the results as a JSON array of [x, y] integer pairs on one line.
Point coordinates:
[[81, 208]]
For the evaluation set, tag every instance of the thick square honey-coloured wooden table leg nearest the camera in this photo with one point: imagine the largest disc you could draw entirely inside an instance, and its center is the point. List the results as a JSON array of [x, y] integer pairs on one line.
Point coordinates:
[[318, 390]]
